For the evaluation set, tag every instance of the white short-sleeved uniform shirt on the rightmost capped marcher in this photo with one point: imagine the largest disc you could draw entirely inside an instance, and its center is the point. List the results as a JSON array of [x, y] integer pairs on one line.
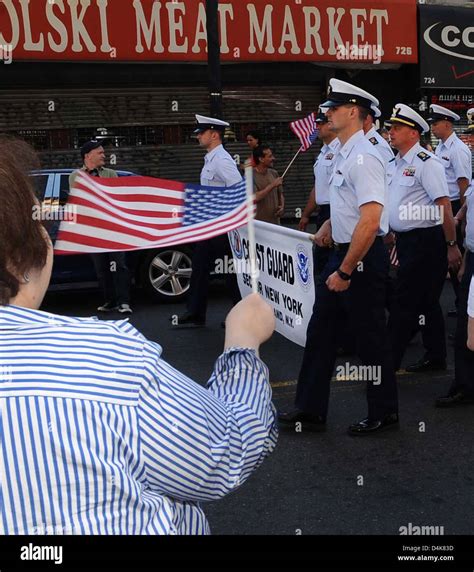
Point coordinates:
[[457, 161]]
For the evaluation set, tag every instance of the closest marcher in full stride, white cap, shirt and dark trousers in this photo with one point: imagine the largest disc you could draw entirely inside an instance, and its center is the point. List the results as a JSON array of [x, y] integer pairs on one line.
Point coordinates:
[[354, 278]]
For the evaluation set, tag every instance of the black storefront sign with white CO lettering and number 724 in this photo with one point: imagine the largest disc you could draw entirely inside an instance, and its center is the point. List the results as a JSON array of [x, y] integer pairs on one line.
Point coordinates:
[[447, 47]]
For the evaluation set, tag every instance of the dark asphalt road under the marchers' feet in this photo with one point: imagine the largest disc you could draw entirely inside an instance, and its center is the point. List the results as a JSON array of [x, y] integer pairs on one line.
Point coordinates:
[[312, 483]]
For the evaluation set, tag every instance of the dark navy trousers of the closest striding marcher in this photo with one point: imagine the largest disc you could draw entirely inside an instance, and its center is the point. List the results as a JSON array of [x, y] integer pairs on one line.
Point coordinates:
[[364, 305]]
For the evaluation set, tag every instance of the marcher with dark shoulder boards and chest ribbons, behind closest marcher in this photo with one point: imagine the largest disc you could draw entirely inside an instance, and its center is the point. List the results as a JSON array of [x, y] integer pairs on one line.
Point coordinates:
[[421, 216]]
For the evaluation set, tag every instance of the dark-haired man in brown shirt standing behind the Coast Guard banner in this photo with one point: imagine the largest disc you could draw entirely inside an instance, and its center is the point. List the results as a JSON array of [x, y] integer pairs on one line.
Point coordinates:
[[267, 186]]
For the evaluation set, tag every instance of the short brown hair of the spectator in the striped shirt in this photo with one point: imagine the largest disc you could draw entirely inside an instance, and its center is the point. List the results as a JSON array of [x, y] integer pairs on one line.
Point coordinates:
[[23, 244]]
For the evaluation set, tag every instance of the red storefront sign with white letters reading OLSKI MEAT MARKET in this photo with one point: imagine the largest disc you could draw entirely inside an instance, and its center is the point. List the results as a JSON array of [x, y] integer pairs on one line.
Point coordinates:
[[170, 30]]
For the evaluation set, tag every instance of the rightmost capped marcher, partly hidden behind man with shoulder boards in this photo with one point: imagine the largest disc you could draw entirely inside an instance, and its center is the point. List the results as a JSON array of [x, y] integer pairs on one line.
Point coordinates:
[[457, 162]]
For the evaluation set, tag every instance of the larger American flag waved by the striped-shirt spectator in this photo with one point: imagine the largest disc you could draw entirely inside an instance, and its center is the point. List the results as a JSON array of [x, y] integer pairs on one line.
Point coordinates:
[[132, 213]]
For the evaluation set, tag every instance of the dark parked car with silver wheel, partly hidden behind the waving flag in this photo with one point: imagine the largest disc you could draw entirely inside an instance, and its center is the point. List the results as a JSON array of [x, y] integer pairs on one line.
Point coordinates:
[[163, 272]]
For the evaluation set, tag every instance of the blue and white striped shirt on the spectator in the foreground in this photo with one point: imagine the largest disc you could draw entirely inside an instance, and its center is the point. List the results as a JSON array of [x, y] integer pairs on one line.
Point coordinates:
[[99, 435]]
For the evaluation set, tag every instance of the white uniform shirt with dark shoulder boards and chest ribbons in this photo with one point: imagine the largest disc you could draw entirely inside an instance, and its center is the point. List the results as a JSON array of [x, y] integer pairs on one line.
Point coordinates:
[[415, 181]]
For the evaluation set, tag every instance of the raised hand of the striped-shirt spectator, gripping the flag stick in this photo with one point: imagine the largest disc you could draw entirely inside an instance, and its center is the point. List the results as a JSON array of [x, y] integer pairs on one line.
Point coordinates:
[[250, 323]]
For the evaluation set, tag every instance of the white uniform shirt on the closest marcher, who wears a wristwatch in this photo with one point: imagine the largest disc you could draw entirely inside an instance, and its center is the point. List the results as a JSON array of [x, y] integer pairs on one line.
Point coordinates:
[[358, 177]]
